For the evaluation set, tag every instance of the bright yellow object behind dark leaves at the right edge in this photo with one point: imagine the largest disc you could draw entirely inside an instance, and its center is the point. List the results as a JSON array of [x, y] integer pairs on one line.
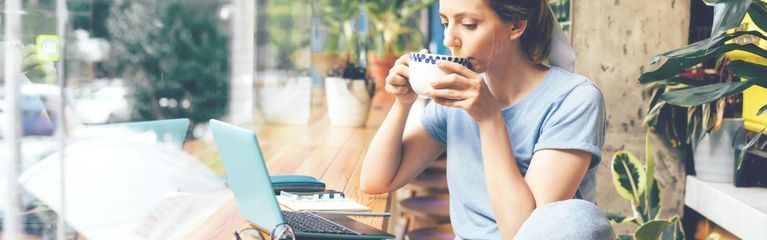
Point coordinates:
[[754, 97]]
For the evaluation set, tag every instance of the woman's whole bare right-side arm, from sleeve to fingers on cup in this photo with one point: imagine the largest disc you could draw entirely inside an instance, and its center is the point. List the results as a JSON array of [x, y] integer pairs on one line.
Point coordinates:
[[553, 175]]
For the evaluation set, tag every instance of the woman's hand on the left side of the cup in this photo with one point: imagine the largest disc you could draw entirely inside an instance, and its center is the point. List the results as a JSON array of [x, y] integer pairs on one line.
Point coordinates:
[[398, 83]]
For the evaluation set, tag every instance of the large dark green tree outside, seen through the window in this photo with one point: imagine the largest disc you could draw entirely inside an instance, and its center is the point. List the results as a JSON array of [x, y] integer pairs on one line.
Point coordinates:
[[174, 55]]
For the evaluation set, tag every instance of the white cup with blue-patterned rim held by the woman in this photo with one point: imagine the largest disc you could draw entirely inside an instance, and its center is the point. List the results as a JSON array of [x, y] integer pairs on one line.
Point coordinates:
[[423, 69]]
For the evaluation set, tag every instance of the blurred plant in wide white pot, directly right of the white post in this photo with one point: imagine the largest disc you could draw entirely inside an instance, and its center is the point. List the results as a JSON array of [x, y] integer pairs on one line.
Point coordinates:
[[284, 86]]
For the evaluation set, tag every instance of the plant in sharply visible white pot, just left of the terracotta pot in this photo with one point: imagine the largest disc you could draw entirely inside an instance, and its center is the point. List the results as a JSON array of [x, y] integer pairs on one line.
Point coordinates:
[[348, 90]]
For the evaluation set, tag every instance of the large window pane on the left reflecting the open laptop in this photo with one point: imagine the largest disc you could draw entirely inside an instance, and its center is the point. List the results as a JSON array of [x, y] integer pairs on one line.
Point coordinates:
[[126, 121]]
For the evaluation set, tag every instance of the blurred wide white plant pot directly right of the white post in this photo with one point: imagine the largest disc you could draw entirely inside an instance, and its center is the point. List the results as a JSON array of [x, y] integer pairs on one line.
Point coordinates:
[[285, 99]]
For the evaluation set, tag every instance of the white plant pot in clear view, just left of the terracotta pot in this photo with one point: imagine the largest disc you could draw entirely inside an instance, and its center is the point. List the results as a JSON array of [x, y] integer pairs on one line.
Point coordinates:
[[348, 101]]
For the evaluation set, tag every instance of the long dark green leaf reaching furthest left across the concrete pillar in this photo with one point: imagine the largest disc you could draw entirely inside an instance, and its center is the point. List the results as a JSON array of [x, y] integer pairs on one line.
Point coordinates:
[[690, 55]]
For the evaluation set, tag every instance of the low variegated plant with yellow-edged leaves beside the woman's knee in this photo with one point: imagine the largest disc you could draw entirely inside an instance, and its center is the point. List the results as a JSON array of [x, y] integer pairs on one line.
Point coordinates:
[[637, 183]]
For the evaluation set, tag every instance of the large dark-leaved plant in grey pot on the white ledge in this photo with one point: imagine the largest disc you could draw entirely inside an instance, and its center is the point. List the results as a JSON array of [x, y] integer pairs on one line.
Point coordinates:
[[689, 101]]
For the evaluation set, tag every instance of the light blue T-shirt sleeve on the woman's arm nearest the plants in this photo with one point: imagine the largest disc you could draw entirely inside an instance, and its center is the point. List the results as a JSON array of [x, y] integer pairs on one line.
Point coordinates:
[[577, 123]]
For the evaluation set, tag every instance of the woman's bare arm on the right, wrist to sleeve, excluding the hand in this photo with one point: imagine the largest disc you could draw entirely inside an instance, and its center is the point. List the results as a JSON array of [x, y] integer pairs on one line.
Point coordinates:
[[553, 175]]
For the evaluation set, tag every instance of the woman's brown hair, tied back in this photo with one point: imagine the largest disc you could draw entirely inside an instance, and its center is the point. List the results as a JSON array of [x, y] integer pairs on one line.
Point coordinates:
[[536, 40]]
